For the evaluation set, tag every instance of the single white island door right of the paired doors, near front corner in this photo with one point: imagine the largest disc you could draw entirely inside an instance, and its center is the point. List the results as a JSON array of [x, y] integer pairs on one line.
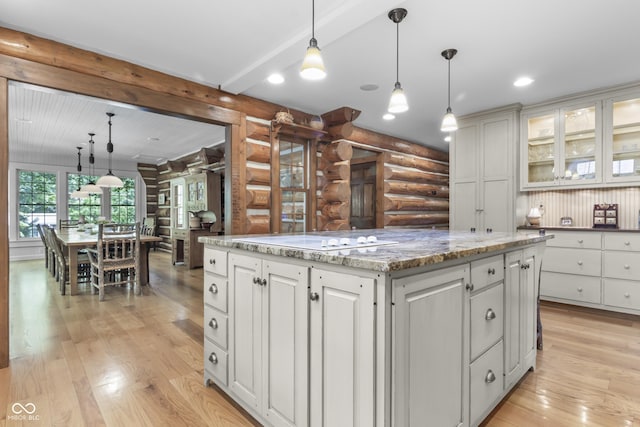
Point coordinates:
[[342, 368]]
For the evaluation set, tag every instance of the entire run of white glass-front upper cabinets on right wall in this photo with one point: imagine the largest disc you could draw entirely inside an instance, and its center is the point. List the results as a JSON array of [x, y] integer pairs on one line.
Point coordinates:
[[588, 141]]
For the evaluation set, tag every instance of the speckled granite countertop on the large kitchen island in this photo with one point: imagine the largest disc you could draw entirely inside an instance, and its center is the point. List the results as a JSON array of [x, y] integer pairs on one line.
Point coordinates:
[[411, 247]]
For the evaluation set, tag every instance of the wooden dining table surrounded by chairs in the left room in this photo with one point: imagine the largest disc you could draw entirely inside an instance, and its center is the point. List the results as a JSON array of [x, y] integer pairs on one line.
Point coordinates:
[[73, 240]]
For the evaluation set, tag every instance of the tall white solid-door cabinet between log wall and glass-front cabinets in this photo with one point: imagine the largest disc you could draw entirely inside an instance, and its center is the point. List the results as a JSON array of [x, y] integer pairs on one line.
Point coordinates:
[[483, 155]]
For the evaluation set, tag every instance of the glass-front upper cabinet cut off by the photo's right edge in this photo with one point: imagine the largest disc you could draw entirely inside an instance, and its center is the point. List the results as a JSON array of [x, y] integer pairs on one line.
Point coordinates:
[[622, 139]]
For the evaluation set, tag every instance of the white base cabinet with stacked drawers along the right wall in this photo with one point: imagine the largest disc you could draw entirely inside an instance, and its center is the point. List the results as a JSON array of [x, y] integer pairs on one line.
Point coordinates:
[[594, 269]]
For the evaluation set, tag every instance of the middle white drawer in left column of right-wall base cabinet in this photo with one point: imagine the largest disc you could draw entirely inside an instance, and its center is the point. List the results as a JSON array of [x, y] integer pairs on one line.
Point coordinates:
[[572, 261]]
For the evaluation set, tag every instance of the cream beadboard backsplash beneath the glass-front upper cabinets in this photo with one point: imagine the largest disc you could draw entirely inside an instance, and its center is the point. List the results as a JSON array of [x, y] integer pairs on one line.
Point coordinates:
[[578, 204]]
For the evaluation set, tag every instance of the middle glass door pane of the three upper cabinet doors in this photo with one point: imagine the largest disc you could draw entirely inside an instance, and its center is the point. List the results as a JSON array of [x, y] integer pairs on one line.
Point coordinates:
[[580, 143]]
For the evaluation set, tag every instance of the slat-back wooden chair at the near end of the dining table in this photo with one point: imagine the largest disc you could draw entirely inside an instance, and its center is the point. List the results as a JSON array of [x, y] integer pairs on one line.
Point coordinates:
[[116, 258]]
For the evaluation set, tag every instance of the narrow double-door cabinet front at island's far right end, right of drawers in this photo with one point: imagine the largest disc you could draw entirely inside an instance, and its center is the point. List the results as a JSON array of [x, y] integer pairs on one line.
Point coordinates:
[[521, 298]]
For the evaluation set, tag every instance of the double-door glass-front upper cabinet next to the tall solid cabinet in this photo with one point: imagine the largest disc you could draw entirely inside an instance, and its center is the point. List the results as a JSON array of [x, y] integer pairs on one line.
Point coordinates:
[[563, 146]]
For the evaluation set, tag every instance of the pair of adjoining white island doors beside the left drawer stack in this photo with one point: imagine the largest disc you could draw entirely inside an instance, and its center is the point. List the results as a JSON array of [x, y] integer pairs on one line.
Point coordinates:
[[268, 330]]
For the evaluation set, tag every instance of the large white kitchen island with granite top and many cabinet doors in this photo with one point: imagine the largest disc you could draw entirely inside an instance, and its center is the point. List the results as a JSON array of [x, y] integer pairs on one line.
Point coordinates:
[[370, 327]]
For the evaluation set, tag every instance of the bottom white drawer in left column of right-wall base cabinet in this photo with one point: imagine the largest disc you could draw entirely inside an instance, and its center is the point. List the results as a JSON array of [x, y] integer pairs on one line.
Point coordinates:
[[567, 286]]
